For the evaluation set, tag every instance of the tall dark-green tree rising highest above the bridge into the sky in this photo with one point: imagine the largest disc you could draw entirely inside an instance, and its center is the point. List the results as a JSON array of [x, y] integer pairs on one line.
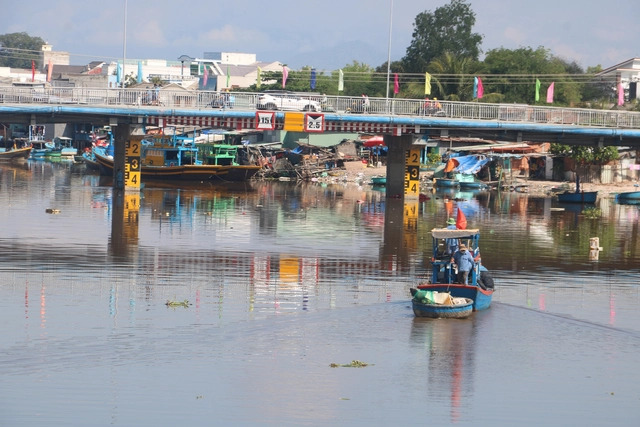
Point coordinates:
[[447, 29]]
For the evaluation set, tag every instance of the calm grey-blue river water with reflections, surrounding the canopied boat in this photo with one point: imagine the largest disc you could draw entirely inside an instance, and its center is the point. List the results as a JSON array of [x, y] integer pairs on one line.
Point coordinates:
[[281, 280]]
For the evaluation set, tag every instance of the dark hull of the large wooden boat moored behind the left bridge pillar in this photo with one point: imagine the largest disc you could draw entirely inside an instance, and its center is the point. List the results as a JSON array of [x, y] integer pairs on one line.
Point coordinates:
[[186, 172]]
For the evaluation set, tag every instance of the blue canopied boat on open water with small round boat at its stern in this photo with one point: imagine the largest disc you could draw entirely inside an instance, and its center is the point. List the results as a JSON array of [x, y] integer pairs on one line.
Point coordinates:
[[480, 287]]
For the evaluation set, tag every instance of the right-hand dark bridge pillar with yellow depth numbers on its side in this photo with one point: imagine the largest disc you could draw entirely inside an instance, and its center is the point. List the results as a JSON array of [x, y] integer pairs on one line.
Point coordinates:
[[397, 164]]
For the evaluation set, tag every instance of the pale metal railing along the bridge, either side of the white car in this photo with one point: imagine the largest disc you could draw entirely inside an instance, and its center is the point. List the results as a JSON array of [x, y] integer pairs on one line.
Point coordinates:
[[201, 100]]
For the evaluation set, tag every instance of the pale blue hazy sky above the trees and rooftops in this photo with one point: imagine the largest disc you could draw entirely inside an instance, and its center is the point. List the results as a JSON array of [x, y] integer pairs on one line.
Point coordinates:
[[326, 34]]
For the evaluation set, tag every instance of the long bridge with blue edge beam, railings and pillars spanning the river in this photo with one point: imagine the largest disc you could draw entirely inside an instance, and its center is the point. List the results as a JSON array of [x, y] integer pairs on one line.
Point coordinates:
[[397, 119]]
